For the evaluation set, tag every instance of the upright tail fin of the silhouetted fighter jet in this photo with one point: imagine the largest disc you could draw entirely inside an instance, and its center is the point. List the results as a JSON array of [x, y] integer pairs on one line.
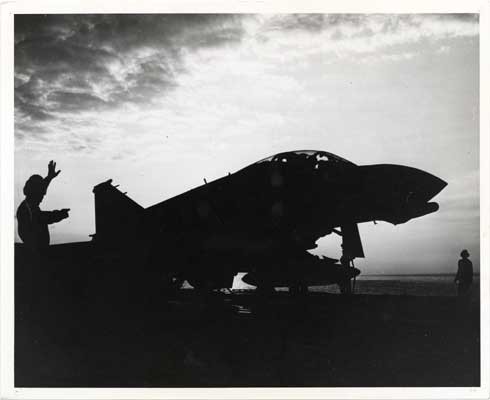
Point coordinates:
[[117, 217]]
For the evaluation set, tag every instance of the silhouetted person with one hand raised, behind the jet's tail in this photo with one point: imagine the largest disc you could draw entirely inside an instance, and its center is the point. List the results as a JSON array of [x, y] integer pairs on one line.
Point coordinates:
[[32, 222]]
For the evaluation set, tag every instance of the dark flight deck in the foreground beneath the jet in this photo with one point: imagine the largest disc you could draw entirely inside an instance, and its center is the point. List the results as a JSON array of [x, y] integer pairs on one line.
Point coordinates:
[[78, 335]]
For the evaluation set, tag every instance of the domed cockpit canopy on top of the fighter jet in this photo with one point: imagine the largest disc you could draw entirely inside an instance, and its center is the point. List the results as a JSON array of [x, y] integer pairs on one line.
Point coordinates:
[[312, 158]]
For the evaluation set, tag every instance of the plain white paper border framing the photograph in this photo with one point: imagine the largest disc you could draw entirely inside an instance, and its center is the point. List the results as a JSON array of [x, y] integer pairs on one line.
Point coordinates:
[[7, 11]]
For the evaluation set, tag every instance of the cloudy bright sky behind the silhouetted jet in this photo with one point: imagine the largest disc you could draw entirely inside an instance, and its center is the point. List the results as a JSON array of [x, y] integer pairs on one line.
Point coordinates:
[[159, 102]]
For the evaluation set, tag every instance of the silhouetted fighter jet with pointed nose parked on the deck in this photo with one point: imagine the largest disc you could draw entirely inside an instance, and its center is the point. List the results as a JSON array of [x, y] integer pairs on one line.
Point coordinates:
[[261, 220]]
